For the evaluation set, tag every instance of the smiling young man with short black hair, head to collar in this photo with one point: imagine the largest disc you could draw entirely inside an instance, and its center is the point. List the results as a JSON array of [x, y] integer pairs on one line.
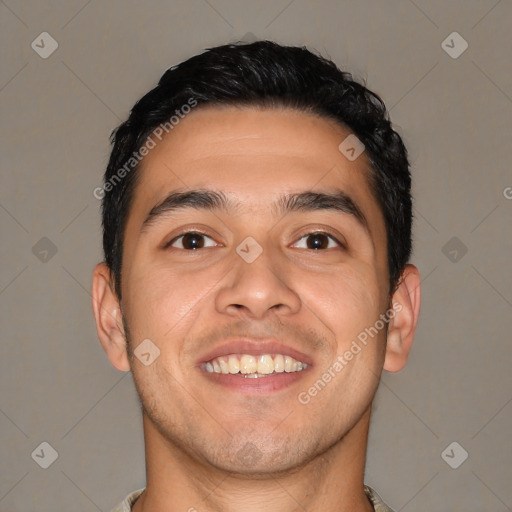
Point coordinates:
[[257, 231]]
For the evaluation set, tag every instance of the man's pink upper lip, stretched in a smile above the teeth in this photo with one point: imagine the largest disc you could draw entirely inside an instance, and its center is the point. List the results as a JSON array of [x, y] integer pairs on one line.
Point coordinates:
[[254, 348]]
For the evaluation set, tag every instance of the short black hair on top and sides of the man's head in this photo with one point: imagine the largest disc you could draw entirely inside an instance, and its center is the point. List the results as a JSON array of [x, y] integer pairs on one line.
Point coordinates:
[[267, 75]]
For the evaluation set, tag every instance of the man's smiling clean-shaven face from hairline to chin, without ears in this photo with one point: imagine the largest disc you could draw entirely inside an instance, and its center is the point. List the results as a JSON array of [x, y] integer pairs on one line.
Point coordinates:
[[258, 284]]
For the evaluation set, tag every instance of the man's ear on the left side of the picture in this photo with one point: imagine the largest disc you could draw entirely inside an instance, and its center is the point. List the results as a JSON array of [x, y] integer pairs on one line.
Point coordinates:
[[108, 317]]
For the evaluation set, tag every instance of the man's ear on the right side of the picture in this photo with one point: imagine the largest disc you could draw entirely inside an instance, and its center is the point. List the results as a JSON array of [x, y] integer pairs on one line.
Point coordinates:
[[406, 303]]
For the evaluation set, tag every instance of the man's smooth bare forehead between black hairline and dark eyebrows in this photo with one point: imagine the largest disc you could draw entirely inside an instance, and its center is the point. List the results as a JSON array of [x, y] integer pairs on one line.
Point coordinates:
[[256, 152]]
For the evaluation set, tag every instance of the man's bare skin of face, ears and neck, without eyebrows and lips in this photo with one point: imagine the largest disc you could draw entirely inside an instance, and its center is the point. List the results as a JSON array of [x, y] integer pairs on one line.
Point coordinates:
[[310, 456]]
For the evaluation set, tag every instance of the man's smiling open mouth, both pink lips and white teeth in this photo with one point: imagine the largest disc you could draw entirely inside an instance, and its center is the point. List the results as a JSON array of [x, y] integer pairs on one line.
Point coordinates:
[[250, 367]]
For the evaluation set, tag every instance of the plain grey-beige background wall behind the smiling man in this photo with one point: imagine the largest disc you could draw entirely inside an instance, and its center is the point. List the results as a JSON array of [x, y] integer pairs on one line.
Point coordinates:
[[454, 114]]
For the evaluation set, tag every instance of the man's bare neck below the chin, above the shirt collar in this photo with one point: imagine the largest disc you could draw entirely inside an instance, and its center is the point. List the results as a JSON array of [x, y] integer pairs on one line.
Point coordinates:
[[333, 480]]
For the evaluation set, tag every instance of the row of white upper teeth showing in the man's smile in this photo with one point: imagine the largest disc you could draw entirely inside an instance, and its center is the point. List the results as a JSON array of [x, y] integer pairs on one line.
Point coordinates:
[[248, 364]]
